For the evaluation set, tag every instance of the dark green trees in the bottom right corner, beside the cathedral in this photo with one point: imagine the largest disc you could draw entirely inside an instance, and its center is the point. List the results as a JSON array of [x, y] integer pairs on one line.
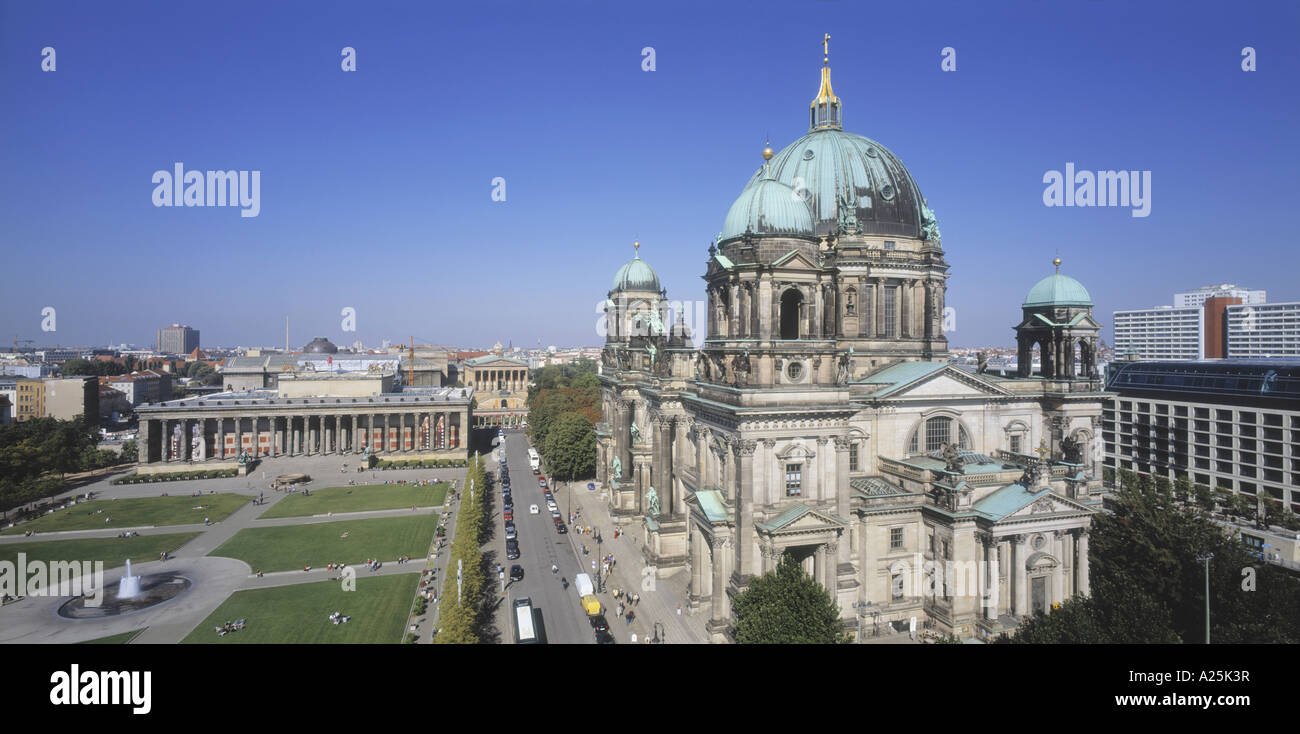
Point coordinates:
[[1149, 580]]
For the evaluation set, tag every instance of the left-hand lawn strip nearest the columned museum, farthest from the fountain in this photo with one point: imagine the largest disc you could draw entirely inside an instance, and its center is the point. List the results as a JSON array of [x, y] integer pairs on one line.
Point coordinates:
[[137, 513]]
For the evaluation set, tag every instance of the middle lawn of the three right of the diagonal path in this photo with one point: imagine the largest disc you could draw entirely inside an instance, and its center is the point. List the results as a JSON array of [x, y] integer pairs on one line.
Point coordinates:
[[320, 544]]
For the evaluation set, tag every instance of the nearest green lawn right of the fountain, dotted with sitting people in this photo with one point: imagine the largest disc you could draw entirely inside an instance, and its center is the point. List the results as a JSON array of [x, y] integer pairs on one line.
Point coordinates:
[[300, 614]]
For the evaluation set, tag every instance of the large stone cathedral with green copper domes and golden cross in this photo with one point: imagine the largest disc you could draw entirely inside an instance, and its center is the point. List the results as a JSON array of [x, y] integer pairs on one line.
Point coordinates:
[[822, 416]]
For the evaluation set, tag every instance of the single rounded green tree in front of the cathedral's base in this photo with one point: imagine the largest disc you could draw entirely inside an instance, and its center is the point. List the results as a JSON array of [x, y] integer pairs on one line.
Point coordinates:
[[787, 607]]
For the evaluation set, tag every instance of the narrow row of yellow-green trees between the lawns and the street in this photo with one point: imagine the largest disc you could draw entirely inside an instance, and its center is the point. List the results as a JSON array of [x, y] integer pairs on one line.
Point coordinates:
[[462, 611]]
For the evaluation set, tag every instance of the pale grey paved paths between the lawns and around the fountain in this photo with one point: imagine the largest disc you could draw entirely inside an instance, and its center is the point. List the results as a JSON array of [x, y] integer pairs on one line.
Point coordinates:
[[34, 619]]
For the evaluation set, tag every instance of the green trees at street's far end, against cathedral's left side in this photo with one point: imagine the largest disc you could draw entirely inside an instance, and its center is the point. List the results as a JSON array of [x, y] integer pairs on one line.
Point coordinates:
[[564, 409]]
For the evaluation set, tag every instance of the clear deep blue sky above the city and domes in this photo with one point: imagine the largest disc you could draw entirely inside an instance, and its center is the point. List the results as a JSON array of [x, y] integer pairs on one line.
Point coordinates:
[[376, 185]]
